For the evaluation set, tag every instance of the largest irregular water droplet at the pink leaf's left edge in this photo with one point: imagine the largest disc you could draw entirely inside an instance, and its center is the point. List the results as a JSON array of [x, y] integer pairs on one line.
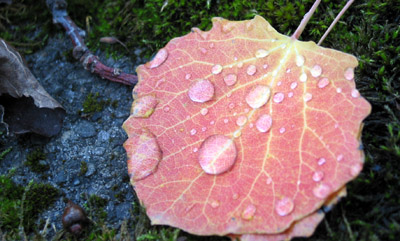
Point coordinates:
[[143, 153]]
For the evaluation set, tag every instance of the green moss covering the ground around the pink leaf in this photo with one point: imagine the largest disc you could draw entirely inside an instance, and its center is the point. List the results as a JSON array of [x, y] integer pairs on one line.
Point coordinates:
[[369, 30]]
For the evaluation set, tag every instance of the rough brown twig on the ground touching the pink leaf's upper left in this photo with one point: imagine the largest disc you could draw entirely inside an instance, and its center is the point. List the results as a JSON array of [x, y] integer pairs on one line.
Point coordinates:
[[89, 61]]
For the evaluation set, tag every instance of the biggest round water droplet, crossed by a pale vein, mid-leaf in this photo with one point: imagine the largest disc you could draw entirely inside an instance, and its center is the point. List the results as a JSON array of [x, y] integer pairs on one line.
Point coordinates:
[[217, 154]]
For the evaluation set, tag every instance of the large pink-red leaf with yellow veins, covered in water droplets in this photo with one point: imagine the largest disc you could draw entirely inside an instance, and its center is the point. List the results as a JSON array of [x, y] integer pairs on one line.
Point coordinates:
[[254, 130]]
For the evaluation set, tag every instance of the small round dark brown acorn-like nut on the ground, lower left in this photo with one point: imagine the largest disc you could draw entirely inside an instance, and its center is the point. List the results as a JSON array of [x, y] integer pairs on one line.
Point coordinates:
[[74, 218]]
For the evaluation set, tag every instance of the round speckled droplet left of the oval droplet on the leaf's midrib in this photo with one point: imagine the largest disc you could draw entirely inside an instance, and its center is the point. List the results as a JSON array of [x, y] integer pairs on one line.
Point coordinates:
[[201, 91]]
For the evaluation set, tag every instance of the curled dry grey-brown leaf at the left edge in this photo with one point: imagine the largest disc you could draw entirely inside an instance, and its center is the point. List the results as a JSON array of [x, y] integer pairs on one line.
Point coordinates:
[[28, 107]]
